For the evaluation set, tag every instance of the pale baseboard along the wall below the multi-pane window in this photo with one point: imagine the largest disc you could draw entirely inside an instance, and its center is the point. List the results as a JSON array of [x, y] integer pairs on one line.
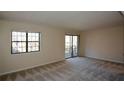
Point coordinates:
[[1, 74]]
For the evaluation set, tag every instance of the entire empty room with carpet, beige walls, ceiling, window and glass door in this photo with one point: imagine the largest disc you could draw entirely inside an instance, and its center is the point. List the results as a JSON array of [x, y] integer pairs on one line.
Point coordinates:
[[61, 46]]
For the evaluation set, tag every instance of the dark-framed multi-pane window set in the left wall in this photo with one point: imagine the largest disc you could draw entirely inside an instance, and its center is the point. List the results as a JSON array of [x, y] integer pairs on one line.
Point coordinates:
[[25, 42]]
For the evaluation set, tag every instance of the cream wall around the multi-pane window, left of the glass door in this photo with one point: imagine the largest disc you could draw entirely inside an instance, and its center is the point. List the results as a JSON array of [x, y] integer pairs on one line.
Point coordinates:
[[52, 47]]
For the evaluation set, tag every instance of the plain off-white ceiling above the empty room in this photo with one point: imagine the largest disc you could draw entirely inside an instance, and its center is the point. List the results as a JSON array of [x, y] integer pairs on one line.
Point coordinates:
[[76, 20]]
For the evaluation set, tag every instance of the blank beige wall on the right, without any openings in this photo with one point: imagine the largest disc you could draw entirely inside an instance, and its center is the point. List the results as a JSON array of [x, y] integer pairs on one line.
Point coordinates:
[[106, 44]]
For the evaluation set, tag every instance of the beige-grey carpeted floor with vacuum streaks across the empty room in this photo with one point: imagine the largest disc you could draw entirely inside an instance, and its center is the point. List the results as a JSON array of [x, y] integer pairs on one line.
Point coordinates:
[[73, 69]]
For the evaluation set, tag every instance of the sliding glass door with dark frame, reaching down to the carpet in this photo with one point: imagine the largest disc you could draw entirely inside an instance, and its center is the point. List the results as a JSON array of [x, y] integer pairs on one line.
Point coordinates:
[[71, 46]]
